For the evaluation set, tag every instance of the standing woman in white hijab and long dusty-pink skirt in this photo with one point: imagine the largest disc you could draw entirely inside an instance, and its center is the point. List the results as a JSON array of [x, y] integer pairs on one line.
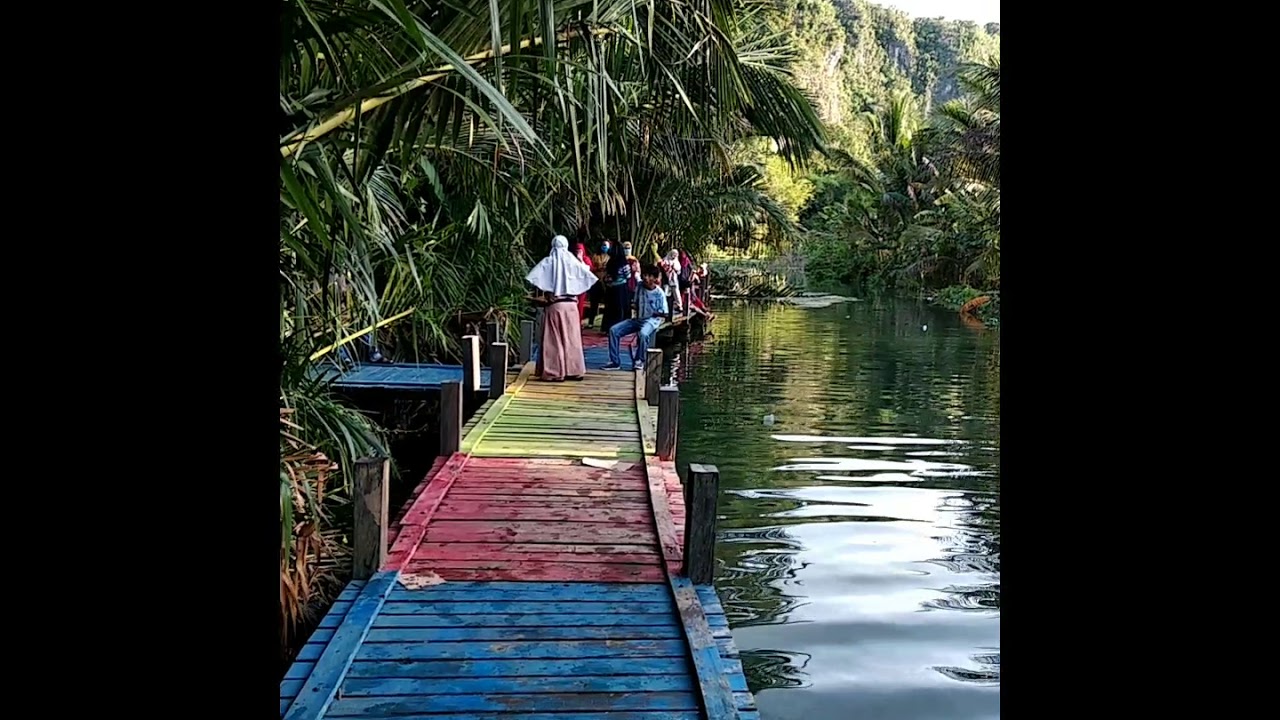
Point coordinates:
[[563, 279]]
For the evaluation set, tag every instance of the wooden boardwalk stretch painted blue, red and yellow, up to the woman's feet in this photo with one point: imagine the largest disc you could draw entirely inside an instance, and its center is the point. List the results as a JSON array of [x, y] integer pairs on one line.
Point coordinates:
[[523, 584]]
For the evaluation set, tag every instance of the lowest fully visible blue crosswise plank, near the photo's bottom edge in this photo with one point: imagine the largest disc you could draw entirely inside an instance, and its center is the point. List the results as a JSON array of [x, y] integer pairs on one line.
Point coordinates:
[[542, 703]]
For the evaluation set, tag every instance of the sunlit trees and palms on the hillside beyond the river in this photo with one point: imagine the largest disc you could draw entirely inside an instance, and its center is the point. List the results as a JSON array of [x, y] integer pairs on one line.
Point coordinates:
[[911, 197]]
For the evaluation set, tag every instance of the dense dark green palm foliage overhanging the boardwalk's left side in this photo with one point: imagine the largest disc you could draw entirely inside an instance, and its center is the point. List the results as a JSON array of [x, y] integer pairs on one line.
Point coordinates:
[[429, 153]]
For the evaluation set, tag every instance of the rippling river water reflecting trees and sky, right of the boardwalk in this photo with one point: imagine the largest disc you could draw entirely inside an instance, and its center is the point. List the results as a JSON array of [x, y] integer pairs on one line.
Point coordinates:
[[860, 537]]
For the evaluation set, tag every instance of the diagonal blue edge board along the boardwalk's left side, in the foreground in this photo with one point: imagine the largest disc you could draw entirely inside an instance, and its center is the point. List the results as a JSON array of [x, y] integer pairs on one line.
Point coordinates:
[[327, 676]]
